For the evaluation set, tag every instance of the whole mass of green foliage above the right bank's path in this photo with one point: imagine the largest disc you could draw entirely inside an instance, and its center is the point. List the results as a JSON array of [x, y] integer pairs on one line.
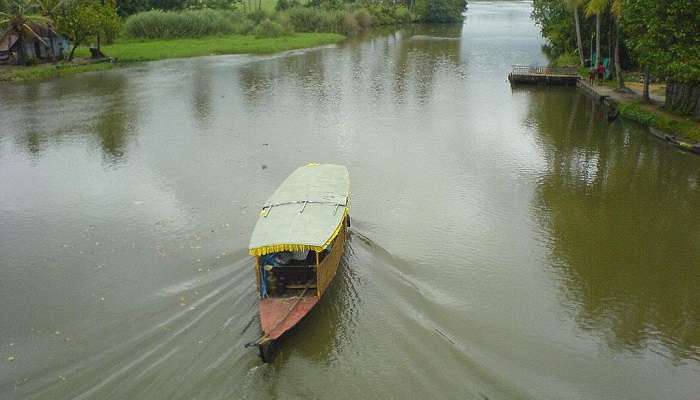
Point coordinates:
[[659, 37]]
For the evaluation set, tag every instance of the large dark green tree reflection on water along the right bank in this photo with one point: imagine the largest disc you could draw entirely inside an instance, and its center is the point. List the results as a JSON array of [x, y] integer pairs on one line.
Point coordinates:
[[623, 225]]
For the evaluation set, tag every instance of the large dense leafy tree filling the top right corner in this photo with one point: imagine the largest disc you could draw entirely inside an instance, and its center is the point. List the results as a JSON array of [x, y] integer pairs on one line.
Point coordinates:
[[664, 39]]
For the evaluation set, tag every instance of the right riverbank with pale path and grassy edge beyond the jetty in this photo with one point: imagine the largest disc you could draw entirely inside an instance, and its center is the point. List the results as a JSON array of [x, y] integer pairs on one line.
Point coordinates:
[[683, 132]]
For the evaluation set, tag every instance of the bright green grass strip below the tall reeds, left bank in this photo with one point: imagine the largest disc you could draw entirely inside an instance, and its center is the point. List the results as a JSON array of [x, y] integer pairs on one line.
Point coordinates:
[[150, 50]]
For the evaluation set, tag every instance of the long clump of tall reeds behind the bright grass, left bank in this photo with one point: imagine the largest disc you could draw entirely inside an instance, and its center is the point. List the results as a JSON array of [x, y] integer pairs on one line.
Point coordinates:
[[158, 24]]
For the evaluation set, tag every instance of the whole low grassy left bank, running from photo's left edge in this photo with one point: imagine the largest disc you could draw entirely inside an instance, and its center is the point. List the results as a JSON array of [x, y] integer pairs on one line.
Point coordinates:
[[126, 52]]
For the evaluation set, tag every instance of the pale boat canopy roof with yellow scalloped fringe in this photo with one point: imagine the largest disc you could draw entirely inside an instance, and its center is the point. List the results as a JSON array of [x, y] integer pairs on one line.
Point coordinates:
[[305, 213]]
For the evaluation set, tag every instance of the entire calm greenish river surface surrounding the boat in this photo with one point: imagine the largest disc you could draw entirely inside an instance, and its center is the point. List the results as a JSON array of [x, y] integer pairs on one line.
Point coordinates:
[[507, 243]]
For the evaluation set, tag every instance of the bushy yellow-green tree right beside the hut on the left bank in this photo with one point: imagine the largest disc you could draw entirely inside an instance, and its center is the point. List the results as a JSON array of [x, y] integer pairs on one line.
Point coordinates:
[[80, 20]]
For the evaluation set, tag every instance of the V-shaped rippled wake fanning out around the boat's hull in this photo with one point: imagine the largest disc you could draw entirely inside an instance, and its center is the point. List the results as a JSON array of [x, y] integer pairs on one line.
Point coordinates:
[[188, 339]]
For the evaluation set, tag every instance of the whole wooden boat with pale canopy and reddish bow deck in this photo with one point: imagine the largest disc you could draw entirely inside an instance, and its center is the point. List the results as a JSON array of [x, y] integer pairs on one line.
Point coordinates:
[[297, 243]]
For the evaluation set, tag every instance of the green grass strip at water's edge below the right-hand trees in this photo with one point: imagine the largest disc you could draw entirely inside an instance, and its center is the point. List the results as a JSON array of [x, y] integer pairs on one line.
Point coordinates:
[[650, 115]]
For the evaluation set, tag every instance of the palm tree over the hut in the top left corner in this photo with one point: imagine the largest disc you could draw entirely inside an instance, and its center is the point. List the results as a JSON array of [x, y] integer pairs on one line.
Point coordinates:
[[18, 16]]
